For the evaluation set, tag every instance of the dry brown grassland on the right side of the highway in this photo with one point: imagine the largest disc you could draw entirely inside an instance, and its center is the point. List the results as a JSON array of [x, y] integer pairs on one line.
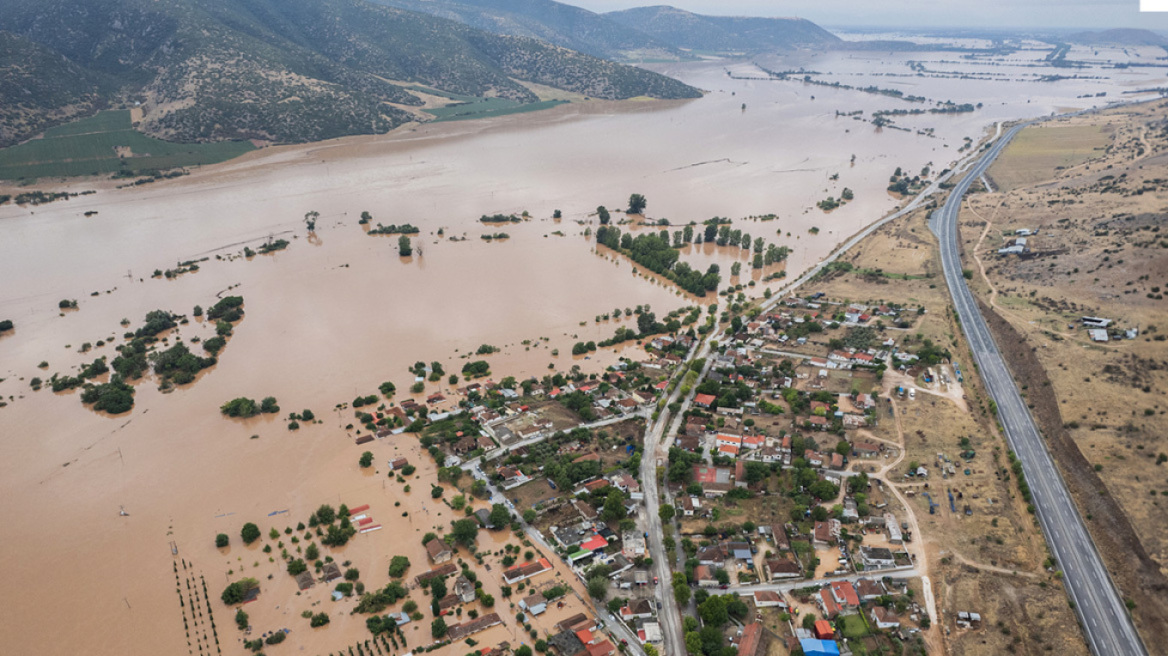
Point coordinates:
[[1100, 252]]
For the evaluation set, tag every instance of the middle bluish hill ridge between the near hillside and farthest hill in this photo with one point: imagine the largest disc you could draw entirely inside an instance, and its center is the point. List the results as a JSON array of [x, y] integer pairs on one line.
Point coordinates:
[[555, 23]]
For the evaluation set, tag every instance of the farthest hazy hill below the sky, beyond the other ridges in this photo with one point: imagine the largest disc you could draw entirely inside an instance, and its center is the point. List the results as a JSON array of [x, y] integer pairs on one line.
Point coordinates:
[[698, 32]]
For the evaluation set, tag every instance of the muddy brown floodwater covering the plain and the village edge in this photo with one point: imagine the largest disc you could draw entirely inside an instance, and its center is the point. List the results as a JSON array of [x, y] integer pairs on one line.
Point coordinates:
[[337, 315]]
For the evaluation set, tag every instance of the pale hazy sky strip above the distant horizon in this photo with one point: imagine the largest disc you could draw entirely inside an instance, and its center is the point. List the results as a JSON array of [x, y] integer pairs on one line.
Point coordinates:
[[1093, 15]]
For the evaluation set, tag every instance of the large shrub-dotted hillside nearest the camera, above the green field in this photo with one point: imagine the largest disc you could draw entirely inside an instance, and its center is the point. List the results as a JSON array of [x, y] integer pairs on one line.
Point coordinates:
[[280, 71]]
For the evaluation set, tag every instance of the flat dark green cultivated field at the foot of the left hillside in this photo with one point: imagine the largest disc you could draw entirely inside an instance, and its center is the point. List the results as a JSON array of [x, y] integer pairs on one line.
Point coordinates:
[[87, 148]]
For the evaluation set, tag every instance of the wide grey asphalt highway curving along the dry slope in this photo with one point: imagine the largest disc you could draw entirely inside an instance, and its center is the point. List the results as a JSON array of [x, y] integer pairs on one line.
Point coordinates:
[[1102, 613]]
